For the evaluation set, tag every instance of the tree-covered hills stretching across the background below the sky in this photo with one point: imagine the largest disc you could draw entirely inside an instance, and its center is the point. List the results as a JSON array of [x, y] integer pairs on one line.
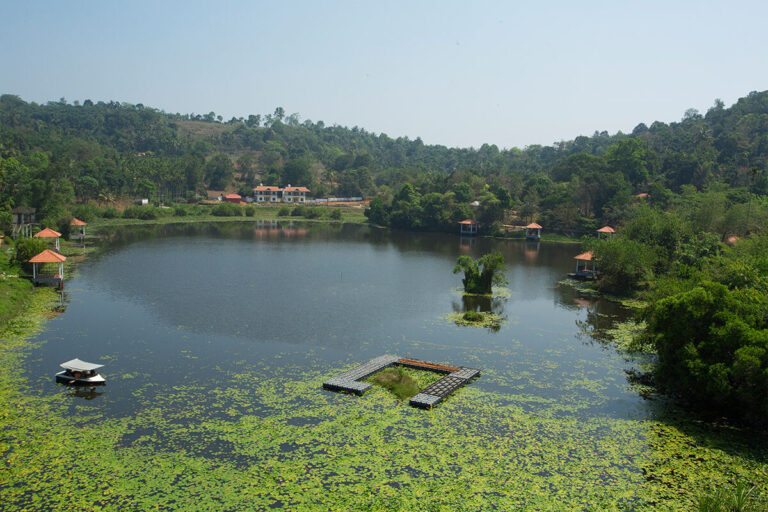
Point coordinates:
[[57, 154]]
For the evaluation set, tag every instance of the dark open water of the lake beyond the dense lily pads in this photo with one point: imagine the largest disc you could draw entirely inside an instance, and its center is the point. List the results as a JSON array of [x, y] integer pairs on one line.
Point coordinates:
[[185, 305]]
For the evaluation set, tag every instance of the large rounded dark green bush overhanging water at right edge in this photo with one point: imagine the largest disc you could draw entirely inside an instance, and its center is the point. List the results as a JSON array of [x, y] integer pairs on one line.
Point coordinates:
[[712, 346]]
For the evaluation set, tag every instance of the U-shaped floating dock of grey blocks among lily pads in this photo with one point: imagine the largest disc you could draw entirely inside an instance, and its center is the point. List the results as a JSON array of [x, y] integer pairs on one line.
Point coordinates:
[[455, 377]]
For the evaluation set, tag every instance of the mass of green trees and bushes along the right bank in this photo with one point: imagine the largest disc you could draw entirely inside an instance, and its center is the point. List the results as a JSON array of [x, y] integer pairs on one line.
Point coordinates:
[[707, 310]]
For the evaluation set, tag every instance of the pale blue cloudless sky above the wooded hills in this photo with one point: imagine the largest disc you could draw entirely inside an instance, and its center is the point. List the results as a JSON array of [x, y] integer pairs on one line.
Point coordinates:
[[453, 73]]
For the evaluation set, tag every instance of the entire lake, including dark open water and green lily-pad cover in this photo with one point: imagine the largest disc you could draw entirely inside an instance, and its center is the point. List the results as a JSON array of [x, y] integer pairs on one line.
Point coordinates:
[[216, 339]]
